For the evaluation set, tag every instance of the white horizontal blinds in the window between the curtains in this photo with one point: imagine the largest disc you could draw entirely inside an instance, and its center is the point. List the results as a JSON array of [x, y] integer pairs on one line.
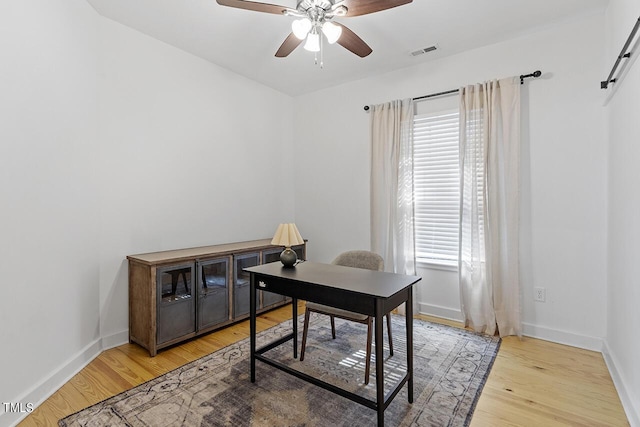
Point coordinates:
[[436, 187]]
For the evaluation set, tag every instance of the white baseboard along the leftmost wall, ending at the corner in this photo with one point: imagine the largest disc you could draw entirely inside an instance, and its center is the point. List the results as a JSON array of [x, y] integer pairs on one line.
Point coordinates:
[[41, 391]]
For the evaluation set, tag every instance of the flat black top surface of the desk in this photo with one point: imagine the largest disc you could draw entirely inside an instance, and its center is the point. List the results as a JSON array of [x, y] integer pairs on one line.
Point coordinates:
[[370, 282]]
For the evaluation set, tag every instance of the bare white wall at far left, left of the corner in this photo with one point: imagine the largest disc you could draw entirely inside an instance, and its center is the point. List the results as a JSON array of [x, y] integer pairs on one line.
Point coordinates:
[[49, 308]]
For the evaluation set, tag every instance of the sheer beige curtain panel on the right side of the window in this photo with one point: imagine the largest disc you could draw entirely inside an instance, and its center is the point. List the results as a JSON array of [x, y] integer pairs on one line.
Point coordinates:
[[489, 218]]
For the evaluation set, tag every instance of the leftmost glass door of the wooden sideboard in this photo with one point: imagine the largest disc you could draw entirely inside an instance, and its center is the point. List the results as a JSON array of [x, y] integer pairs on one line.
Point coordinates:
[[175, 302]]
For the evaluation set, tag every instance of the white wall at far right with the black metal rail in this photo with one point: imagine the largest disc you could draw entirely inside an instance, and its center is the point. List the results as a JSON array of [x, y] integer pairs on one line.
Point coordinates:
[[622, 349]]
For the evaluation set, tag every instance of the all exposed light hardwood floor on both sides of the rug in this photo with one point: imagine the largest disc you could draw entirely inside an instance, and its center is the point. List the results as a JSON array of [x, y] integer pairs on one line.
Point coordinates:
[[532, 382]]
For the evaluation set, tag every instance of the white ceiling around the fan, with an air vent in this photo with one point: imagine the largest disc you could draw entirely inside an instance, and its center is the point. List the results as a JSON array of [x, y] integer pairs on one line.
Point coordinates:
[[245, 41]]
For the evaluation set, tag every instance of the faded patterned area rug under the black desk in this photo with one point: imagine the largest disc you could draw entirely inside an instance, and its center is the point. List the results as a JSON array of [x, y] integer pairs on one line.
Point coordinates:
[[450, 368]]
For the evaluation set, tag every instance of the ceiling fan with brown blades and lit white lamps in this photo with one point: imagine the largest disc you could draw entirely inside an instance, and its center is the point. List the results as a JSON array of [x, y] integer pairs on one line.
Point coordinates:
[[315, 18]]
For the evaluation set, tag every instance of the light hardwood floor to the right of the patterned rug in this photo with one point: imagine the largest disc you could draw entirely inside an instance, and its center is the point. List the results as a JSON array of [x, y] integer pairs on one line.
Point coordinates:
[[540, 383]]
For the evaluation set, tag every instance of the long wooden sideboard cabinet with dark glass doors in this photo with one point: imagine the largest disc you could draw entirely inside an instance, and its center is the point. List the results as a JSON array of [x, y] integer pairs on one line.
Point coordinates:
[[179, 294]]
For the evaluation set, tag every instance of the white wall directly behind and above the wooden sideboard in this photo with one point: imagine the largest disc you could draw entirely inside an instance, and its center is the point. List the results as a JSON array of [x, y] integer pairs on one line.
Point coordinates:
[[190, 155]]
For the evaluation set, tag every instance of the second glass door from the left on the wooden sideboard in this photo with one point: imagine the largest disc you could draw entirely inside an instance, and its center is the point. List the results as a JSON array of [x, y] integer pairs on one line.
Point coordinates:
[[213, 292]]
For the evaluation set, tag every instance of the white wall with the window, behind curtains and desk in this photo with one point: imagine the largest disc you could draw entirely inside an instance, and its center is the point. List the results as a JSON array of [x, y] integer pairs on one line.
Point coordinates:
[[563, 182]]
